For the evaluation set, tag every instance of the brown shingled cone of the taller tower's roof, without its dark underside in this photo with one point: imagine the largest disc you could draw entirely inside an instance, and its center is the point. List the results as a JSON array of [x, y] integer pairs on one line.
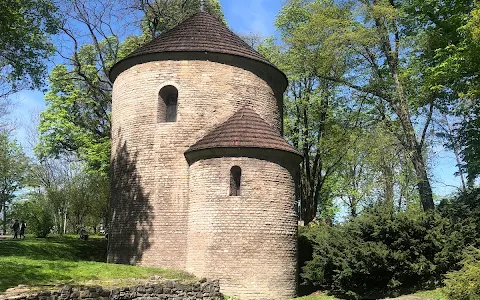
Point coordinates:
[[201, 33]]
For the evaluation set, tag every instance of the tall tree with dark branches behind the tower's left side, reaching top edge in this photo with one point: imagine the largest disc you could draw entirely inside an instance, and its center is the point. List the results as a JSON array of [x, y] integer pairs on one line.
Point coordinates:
[[77, 117]]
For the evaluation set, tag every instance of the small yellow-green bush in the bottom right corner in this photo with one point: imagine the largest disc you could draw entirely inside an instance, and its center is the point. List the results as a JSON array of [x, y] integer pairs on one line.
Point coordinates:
[[464, 284]]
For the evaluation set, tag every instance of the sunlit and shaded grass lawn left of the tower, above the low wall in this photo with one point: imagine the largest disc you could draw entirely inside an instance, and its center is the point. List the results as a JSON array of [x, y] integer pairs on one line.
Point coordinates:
[[56, 260]]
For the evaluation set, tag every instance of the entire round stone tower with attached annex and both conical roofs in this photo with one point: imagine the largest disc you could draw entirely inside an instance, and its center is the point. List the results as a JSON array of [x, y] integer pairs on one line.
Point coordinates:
[[202, 179]]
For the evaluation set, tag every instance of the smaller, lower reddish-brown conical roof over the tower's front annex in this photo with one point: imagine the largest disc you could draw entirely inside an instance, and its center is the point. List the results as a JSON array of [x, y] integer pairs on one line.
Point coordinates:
[[245, 129]]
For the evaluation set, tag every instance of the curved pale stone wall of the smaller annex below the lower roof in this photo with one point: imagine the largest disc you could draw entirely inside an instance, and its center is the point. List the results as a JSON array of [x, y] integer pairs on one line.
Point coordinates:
[[247, 241]]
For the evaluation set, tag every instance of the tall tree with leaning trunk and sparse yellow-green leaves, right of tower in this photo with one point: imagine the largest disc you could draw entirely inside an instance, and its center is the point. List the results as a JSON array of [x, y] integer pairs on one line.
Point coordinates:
[[372, 42]]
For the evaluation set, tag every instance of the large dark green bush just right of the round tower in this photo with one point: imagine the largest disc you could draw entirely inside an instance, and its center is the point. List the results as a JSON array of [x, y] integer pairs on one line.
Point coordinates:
[[382, 253]]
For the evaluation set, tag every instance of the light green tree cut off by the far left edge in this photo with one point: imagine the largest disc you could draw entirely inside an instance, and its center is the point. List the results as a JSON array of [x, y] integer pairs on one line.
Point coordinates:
[[13, 172]]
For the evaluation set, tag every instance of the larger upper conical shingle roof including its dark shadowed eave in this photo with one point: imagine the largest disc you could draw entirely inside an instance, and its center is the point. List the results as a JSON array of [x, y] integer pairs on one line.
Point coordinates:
[[203, 37]]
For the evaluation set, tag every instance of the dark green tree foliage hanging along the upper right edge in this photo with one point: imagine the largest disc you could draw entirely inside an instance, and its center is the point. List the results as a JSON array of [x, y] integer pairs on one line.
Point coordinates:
[[450, 47]]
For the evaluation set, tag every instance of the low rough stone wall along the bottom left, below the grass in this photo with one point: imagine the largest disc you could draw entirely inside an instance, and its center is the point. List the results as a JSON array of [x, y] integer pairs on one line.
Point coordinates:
[[168, 290]]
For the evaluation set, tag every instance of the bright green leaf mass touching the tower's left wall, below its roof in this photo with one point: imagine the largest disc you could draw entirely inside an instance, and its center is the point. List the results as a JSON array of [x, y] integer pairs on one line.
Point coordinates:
[[77, 117]]
